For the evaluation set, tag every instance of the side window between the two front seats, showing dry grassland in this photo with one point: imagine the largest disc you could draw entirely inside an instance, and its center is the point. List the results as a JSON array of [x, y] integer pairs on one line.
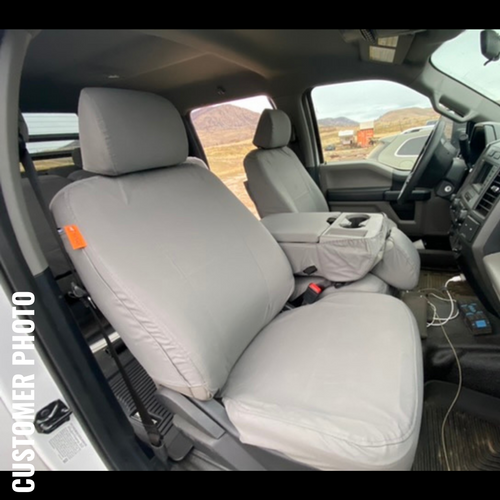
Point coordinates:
[[226, 132]]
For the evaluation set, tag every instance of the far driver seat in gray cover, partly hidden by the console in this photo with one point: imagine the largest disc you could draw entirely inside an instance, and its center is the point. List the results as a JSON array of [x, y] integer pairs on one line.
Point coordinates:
[[279, 183]]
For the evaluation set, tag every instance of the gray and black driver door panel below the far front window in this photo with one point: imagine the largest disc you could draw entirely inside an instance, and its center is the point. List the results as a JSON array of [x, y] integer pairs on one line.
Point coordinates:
[[368, 186]]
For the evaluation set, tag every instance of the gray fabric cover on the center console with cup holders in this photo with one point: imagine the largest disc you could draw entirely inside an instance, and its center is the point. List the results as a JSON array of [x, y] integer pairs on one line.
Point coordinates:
[[338, 253]]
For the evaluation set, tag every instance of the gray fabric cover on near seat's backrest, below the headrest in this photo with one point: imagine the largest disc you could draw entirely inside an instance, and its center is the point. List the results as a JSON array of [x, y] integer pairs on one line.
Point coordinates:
[[179, 267]]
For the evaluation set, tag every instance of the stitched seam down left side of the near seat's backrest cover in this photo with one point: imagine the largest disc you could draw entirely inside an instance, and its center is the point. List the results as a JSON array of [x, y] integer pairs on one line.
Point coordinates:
[[145, 311]]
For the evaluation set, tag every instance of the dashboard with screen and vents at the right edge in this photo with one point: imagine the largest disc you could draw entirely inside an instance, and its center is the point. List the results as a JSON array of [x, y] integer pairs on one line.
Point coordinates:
[[475, 215]]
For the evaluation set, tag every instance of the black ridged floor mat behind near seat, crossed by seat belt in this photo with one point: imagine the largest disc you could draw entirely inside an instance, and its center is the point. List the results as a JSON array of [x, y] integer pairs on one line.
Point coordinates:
[[178, 446]]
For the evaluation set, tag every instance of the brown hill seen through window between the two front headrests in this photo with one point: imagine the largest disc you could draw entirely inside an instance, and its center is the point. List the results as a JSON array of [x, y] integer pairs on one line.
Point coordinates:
[[225, 117]]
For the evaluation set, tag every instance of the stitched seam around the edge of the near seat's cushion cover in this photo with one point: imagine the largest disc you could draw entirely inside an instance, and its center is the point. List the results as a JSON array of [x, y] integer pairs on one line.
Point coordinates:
[[366, 443]]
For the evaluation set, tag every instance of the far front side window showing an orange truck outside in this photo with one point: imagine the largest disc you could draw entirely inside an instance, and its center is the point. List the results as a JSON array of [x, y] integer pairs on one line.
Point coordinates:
[[376, 120]]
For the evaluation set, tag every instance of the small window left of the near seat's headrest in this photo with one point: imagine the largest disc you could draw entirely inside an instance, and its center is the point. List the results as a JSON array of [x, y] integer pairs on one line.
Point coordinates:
[[53, 137]]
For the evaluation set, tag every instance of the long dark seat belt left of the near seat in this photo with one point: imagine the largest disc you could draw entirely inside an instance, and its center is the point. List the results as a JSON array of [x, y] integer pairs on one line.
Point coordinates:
[[79, 291]]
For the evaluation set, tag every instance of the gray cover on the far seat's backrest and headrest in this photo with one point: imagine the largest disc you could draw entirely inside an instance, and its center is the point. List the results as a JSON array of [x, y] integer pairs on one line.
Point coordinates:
[[277, 180]]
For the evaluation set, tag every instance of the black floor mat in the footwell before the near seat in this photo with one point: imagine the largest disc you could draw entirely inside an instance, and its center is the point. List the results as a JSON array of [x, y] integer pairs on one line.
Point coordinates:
[[472, 432]]
